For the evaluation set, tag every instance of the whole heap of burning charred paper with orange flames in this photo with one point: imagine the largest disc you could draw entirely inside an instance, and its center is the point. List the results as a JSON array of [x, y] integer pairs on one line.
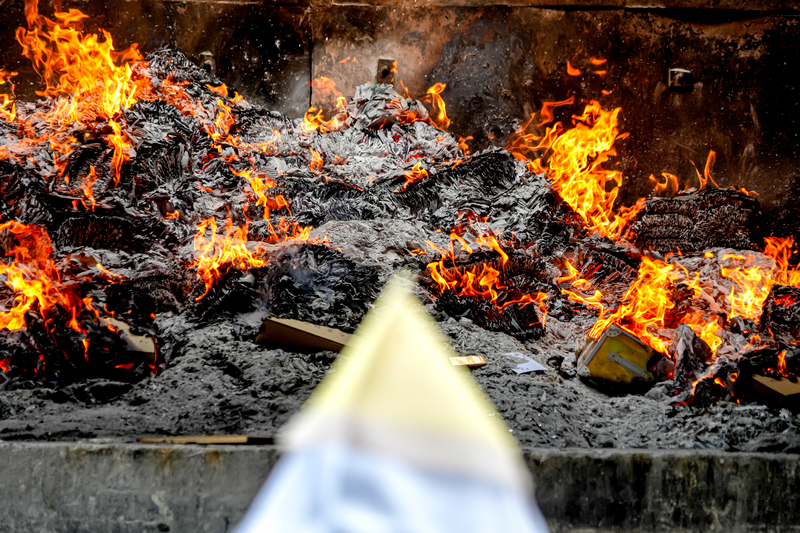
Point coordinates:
[[141, 188]]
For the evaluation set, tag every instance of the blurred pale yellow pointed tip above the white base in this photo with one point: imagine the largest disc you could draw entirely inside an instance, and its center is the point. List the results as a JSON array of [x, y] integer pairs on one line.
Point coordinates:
[[394, 383]]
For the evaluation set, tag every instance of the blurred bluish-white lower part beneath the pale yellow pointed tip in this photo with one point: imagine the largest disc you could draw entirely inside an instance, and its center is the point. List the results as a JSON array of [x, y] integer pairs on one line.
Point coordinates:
[[333, 488]]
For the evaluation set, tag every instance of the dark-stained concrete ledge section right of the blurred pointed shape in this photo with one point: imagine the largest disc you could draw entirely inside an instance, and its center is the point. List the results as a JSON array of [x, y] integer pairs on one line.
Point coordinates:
[[670, 491]]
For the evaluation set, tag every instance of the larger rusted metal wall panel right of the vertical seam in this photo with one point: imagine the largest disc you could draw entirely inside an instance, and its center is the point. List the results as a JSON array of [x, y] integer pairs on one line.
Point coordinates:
[[501, 63]]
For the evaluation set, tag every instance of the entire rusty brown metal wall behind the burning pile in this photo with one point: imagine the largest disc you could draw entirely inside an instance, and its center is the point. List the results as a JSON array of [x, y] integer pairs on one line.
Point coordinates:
[[500, 62]]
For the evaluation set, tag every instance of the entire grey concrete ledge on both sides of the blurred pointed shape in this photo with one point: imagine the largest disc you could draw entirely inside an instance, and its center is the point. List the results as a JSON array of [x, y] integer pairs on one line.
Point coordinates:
[[121, 488]]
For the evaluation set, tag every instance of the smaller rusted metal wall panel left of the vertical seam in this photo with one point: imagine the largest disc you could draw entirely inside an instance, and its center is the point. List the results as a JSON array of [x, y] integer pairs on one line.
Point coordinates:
[[260, 49]]
